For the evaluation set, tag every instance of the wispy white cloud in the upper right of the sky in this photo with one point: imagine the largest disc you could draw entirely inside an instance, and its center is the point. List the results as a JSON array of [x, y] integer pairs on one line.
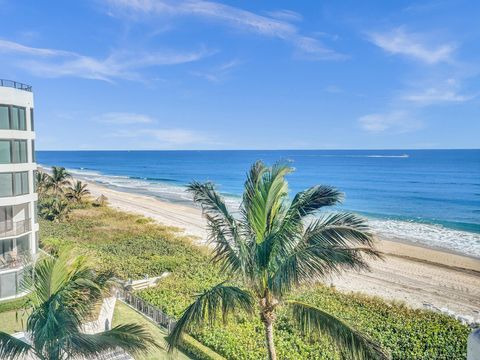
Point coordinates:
[[399, 41]]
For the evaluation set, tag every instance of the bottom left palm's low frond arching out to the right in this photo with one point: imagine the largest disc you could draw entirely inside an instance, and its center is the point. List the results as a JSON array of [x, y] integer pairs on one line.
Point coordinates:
[[133, 338]]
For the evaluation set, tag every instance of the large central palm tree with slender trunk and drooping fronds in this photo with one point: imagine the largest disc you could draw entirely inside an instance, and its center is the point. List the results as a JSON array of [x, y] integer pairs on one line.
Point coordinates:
[[273, 246]]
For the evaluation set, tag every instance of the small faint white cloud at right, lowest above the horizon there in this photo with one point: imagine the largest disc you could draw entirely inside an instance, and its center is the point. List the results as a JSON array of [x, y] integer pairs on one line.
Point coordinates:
[[395, 121]]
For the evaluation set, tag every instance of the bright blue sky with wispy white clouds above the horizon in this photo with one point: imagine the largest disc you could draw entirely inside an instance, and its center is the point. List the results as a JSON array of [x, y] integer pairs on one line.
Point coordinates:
[[155, 74]]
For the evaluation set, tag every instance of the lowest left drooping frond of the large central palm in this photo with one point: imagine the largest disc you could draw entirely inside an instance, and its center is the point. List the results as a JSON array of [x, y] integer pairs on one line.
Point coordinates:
[[221, 299]]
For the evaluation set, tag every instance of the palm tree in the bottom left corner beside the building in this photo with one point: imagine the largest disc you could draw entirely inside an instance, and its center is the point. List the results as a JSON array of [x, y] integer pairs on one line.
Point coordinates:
[[65, 292]]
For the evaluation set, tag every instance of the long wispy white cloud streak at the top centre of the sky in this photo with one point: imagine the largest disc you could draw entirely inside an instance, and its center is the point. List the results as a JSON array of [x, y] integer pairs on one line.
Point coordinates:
[[232, 16]]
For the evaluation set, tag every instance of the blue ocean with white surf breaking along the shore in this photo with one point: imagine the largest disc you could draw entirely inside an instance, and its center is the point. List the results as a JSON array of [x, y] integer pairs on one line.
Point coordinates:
[[429, 197]]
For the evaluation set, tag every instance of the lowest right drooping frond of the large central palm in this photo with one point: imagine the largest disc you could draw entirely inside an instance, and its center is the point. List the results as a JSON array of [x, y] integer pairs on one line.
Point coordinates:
[[313, 320]]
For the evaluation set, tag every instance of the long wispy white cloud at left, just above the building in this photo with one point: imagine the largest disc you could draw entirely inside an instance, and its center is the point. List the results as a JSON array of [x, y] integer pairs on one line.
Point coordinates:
[[119, 64]]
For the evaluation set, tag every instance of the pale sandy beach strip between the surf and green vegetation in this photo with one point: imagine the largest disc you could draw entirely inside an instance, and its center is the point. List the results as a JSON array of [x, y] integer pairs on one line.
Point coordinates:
[[411, 274]]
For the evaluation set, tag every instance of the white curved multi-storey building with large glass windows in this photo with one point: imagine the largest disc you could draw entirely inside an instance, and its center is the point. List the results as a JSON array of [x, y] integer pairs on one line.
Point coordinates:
[[18, 198]]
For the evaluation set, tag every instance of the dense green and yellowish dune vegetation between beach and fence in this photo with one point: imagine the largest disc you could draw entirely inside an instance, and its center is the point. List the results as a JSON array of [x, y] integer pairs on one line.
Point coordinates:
[[132, 246]]
